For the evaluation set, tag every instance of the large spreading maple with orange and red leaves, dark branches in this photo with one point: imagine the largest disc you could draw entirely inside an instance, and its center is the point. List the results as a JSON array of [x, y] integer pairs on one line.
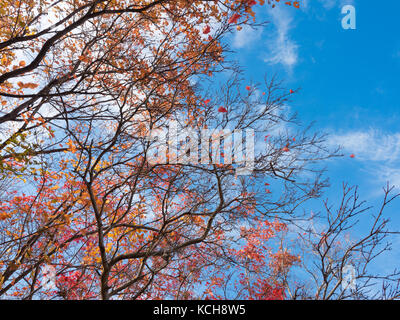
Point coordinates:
[[82, 83]]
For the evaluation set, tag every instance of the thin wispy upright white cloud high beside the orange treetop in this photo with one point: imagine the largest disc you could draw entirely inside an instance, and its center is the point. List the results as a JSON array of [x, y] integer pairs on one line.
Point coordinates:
[[283, 50]]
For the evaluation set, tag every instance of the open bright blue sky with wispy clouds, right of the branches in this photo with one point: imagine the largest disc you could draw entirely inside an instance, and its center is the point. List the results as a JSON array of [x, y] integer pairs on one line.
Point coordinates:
[[349, 82]]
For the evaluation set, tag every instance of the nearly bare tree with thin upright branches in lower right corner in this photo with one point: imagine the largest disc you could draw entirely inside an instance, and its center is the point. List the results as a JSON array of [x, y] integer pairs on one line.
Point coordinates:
[[339, 260]]
